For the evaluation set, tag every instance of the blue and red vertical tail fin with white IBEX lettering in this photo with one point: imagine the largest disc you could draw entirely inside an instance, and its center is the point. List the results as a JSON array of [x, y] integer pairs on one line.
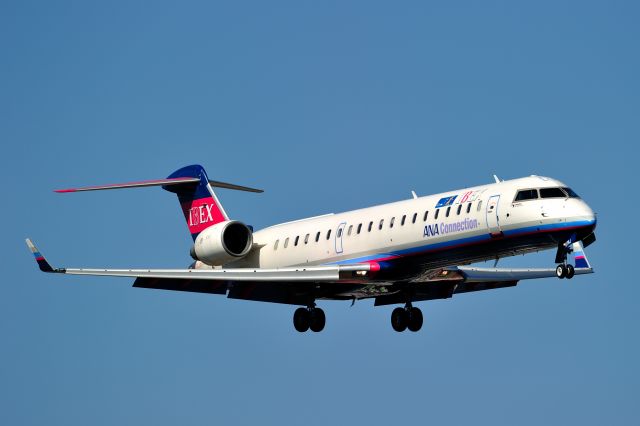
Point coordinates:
[[199, 203]]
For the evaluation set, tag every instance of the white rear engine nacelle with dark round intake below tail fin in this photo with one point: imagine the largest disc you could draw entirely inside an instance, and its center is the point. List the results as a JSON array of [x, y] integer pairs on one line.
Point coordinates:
[[222, 243]]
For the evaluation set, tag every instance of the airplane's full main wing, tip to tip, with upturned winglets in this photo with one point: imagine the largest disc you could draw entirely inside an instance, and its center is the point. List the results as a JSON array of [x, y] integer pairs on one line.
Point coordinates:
[[330, 281]]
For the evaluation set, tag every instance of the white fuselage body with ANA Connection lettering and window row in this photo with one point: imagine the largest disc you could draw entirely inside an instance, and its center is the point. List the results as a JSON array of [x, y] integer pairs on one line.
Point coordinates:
[[416, 227]]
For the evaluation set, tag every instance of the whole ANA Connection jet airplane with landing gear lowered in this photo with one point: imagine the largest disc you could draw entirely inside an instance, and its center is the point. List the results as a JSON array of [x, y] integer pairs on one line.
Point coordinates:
[[399, 253]]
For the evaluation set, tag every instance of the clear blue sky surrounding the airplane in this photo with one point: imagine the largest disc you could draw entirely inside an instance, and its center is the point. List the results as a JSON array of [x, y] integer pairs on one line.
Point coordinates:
[[328, 106]]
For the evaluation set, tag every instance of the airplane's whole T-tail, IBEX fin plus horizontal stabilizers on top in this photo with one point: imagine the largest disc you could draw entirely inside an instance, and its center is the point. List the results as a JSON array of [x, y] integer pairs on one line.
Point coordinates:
[[199, 203]]
